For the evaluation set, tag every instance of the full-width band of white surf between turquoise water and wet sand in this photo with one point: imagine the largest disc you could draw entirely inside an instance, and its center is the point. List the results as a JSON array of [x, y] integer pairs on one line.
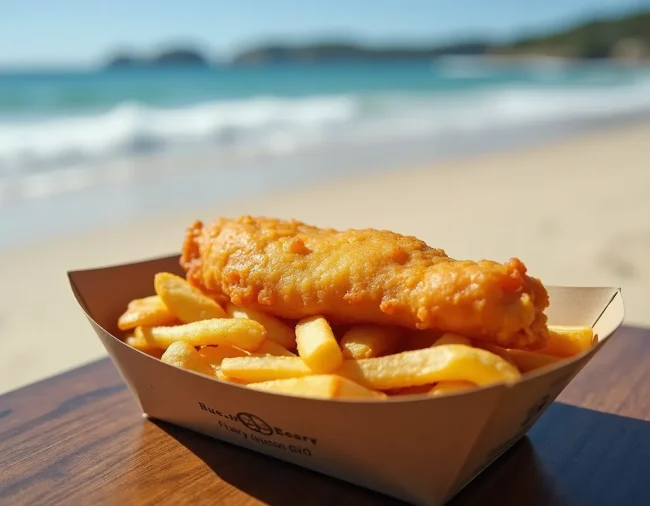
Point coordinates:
[[285, 125]]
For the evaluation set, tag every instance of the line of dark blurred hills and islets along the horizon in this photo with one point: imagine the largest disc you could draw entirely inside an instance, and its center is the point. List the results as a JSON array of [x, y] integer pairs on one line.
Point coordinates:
[[626, 37]]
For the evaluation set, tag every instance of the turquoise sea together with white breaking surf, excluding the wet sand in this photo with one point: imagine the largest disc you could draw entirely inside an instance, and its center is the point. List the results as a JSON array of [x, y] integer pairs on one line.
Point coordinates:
[[52, 120]]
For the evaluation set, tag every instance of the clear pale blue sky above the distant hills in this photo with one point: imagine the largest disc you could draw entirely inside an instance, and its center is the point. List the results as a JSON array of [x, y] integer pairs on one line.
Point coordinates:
[[86, 32]]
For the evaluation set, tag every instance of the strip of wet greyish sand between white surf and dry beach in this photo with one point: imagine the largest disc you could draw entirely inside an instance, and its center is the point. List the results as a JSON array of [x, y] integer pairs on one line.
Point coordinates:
[[149, 186]]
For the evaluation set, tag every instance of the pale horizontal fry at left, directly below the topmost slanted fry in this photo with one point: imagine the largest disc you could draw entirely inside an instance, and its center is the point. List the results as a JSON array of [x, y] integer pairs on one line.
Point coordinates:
[[245, 334]]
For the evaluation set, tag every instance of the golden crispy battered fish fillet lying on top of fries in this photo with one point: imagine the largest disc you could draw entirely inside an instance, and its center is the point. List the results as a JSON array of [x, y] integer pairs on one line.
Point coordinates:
[[292, 270]]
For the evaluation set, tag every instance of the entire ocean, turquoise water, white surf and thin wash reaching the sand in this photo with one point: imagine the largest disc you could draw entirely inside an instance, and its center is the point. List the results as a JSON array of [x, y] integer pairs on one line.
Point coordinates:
[[69, 132]]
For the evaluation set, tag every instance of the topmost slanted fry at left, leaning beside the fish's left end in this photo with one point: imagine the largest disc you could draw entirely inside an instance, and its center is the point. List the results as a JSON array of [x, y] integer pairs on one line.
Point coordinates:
[[185, 301]]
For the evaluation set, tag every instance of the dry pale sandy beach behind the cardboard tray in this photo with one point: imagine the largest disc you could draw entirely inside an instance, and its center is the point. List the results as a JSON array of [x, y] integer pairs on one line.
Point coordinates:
[[577, 212]]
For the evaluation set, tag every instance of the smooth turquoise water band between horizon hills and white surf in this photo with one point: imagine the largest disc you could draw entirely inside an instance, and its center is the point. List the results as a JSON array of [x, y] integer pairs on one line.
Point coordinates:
[[42, 93]]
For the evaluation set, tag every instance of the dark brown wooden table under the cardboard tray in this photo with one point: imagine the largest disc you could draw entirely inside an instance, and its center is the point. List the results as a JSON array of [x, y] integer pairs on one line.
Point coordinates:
[[79, 438]]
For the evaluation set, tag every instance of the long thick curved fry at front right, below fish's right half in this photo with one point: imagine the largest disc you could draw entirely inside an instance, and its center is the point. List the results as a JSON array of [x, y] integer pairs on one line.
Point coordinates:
[[450, 362]]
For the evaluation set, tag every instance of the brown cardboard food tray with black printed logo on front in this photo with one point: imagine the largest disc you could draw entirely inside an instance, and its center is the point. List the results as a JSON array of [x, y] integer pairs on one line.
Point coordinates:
[[419, 449]]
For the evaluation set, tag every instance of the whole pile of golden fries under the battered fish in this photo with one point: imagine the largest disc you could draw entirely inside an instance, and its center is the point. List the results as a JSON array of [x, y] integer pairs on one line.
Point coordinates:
[[187, 328]]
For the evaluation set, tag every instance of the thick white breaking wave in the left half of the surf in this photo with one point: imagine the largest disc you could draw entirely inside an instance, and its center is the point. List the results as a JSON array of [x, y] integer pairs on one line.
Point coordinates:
[[132, 128]]
